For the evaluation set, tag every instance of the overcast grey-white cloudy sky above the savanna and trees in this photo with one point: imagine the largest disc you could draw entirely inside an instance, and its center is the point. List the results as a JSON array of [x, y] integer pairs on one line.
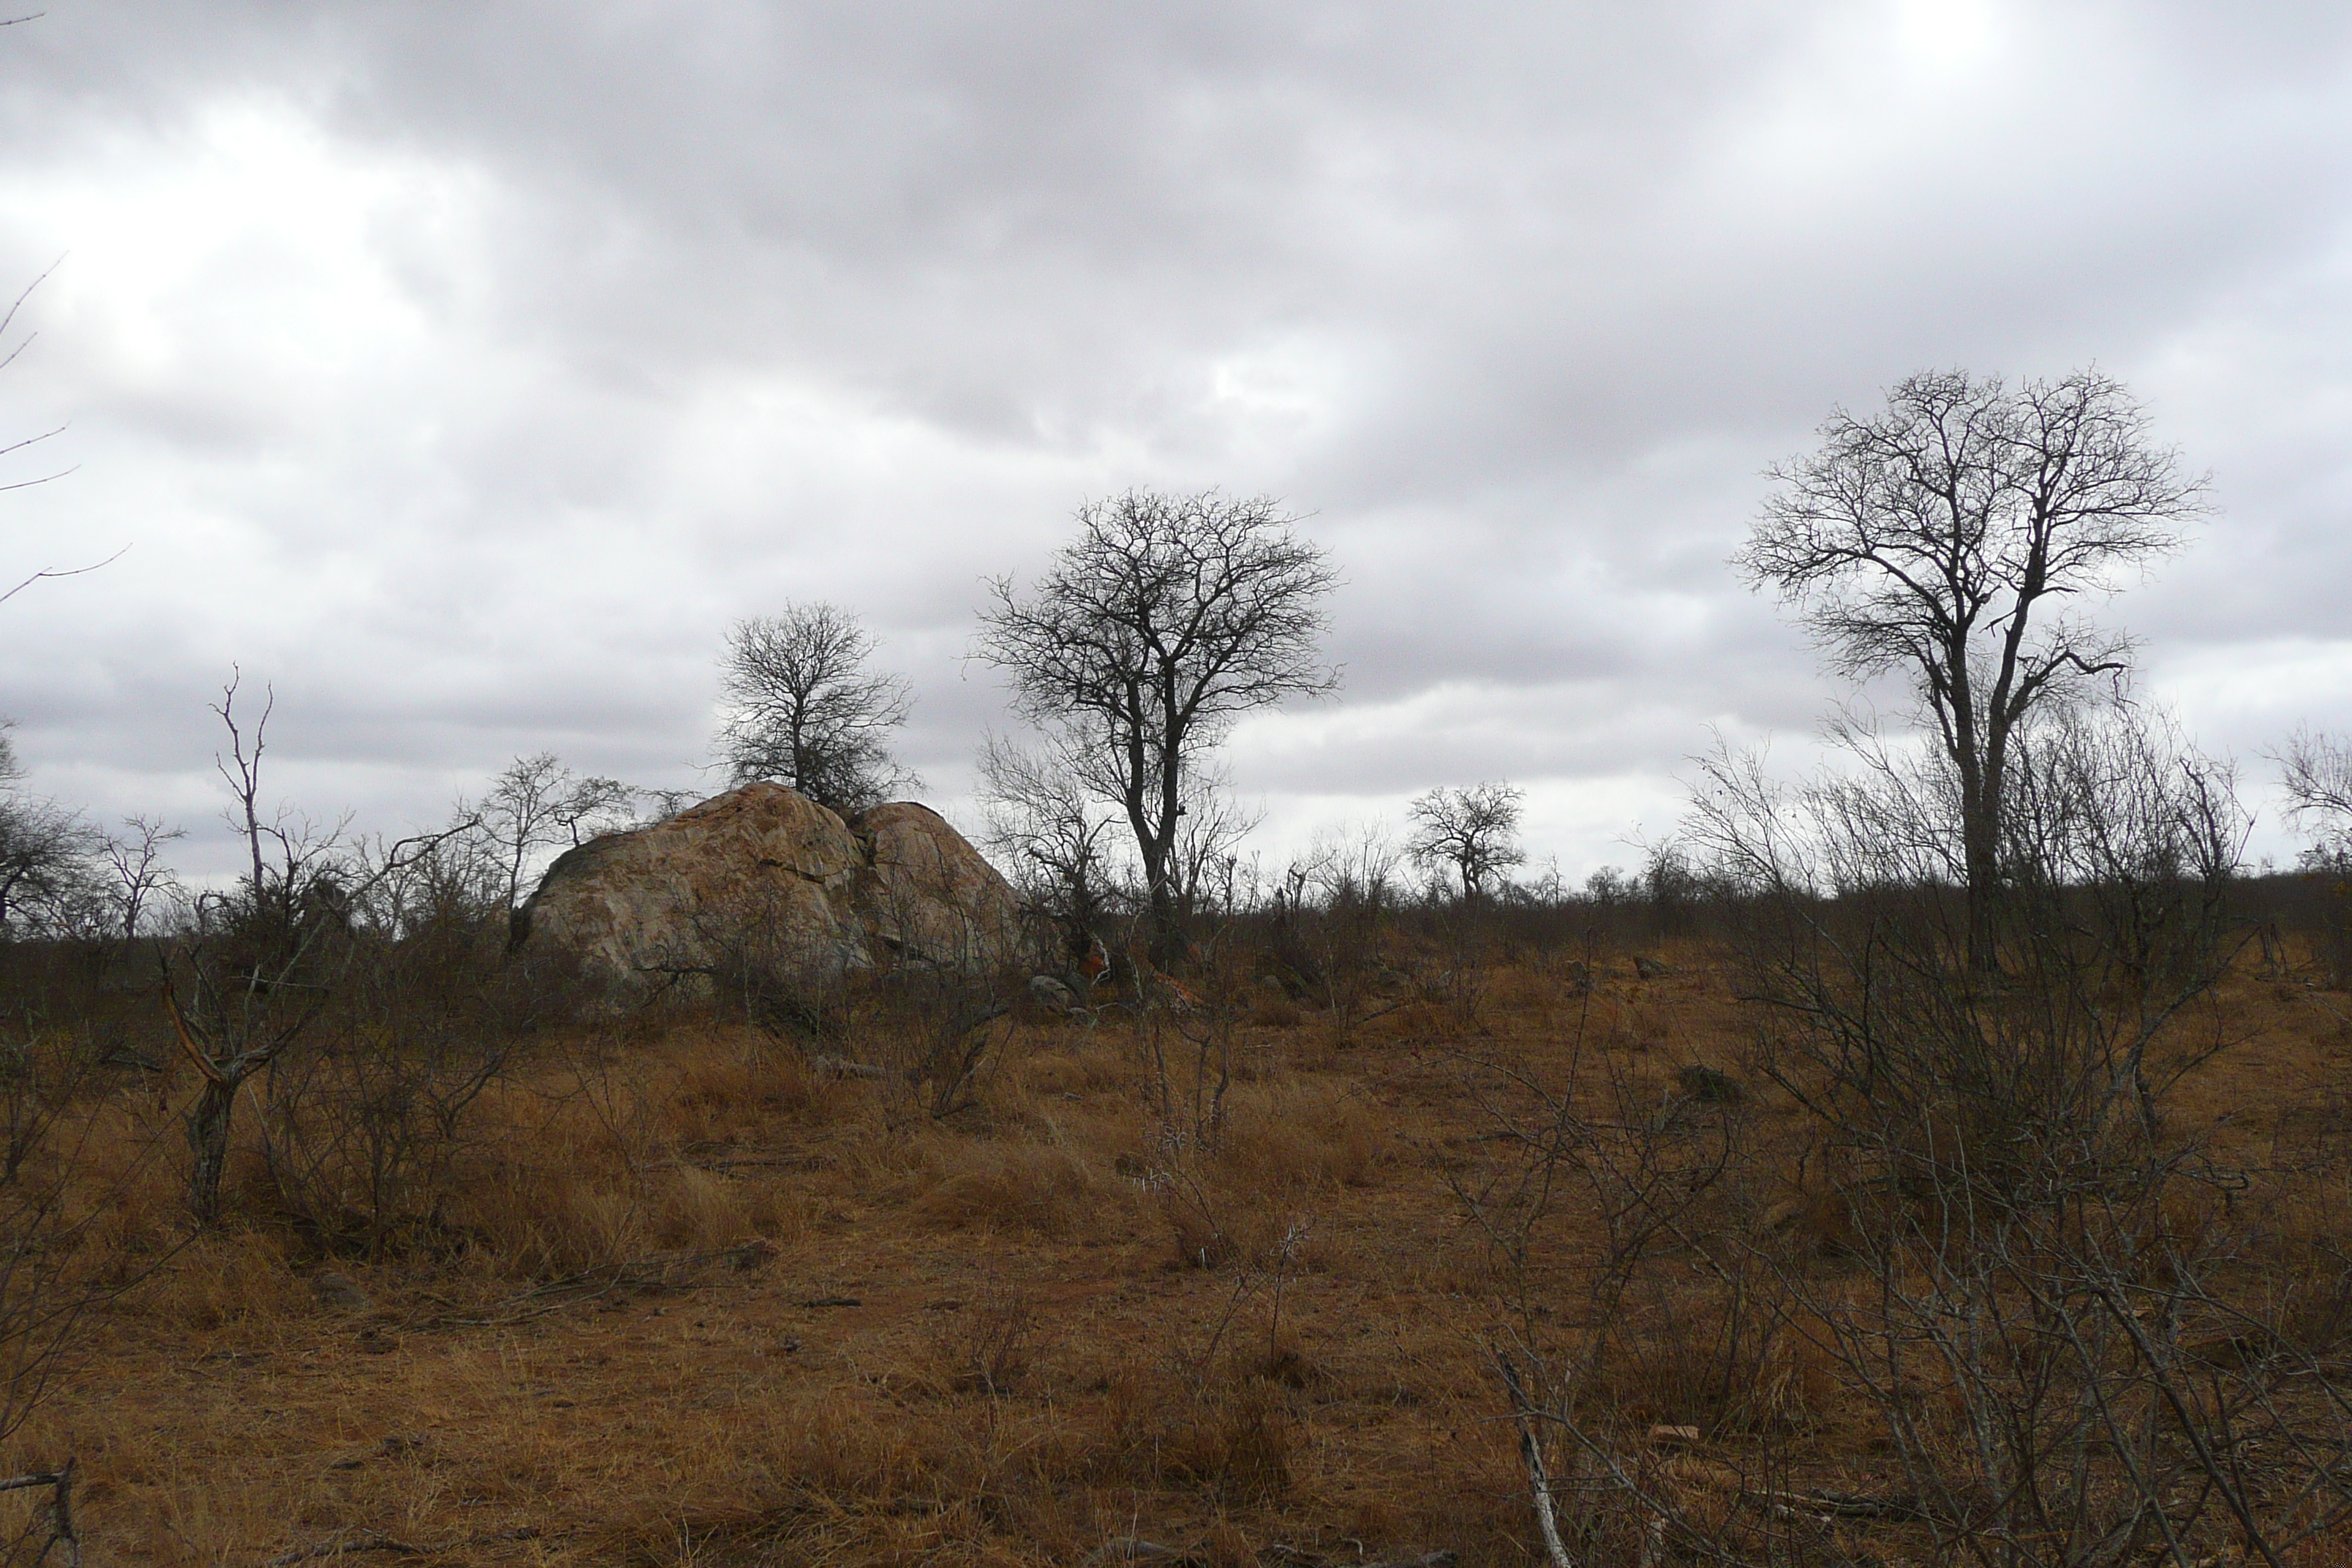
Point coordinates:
[[465, 370]]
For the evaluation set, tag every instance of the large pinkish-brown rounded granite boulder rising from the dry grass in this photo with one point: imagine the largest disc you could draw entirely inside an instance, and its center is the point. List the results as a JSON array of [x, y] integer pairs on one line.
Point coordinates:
[[768, 876]]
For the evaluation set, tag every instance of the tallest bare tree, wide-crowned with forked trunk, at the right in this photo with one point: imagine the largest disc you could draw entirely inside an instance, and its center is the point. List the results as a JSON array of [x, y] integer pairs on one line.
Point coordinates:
[[1949, 540]]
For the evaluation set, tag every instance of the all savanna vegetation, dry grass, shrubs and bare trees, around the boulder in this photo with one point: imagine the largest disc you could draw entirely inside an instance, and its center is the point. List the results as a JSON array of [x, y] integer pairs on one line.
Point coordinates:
[[1930, 1162]]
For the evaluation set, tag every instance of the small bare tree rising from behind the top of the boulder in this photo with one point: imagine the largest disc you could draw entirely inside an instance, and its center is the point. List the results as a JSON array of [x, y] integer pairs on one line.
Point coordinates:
[[806, 709]]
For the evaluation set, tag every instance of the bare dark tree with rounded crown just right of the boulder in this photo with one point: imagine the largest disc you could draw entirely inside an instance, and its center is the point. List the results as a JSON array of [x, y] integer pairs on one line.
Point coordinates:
[[1156, 629]]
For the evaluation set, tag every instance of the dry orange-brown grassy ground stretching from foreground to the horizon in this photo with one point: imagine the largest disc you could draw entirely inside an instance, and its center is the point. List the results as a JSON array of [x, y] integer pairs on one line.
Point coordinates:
[[507, 1278]]
